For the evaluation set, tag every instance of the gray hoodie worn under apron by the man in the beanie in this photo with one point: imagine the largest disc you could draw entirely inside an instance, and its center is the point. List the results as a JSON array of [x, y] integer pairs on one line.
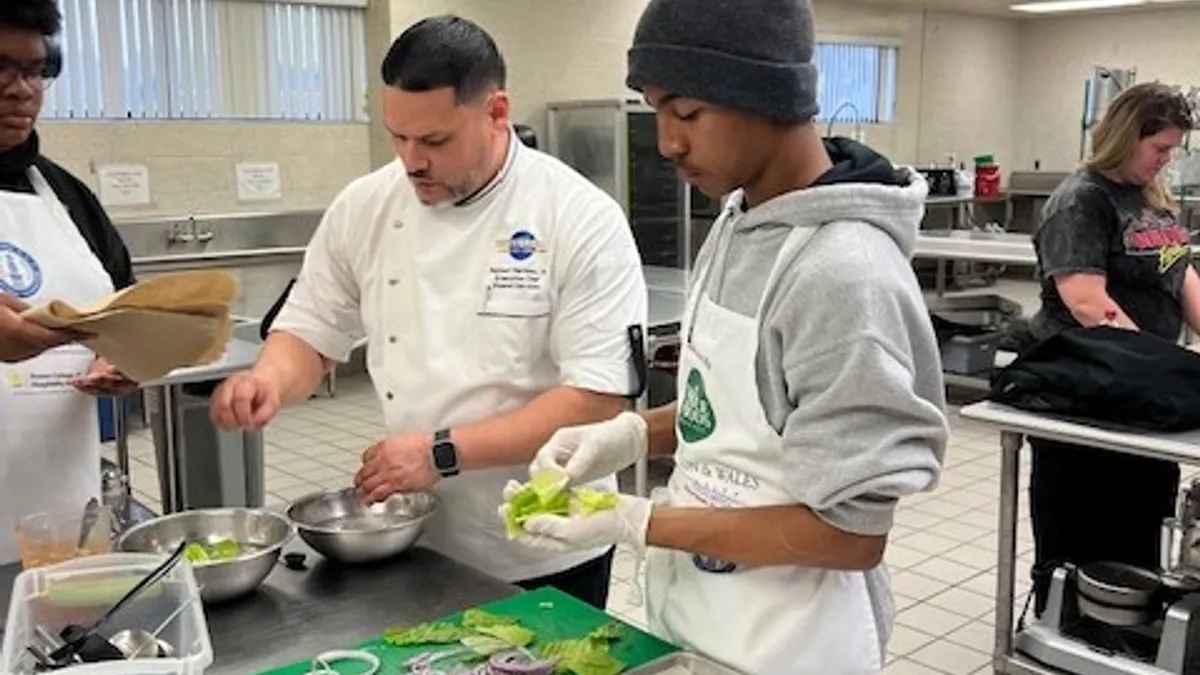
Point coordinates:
[[849, 369]]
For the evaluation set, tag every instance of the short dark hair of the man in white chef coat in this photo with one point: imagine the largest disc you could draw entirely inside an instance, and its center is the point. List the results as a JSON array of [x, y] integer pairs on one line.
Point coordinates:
[[446, 51]]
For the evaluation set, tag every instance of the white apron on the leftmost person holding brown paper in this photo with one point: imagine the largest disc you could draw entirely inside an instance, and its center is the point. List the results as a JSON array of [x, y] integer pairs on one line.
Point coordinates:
[[50, 458]]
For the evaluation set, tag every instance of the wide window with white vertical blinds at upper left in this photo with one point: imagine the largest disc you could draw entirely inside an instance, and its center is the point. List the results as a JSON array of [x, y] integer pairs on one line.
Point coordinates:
[[212, 59]]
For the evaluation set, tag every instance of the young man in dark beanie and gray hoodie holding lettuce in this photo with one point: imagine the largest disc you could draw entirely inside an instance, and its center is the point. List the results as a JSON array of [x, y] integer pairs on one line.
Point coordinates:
[[811, 385]]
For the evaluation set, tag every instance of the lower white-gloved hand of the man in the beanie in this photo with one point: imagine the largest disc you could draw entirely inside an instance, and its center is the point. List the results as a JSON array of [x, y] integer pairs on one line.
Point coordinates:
[[625, 524]]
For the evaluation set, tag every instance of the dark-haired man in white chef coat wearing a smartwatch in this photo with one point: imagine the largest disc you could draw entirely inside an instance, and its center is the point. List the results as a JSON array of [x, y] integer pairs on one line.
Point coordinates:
[[496, 288]]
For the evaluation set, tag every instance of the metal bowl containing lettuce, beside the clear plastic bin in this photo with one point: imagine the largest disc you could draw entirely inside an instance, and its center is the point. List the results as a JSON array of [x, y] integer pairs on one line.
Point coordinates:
[[261, 534]]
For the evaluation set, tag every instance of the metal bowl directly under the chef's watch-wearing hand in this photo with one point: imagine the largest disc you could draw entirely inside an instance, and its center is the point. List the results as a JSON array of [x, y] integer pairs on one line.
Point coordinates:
[[338, 525]]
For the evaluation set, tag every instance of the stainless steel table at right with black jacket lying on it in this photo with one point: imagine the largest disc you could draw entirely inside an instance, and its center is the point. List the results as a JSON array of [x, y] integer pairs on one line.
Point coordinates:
[[1015, 426]]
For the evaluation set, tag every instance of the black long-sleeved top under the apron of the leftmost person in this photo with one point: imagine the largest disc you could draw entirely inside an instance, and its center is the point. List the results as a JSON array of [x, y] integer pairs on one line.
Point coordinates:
[[81, 204]]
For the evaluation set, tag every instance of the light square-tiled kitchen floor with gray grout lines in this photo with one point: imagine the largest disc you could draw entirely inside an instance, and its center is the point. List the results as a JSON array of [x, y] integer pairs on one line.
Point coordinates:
[[943, 551]]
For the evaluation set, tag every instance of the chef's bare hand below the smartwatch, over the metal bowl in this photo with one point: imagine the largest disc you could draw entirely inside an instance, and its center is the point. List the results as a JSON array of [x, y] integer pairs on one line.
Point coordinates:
[[401, 463]]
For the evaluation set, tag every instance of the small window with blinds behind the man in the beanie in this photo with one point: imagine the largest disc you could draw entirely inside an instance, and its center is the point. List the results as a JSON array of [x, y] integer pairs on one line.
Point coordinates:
[[857, 81]]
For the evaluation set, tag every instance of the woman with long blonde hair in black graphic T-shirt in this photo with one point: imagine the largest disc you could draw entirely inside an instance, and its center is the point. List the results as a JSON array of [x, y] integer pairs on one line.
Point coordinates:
[[1112, 250]]
